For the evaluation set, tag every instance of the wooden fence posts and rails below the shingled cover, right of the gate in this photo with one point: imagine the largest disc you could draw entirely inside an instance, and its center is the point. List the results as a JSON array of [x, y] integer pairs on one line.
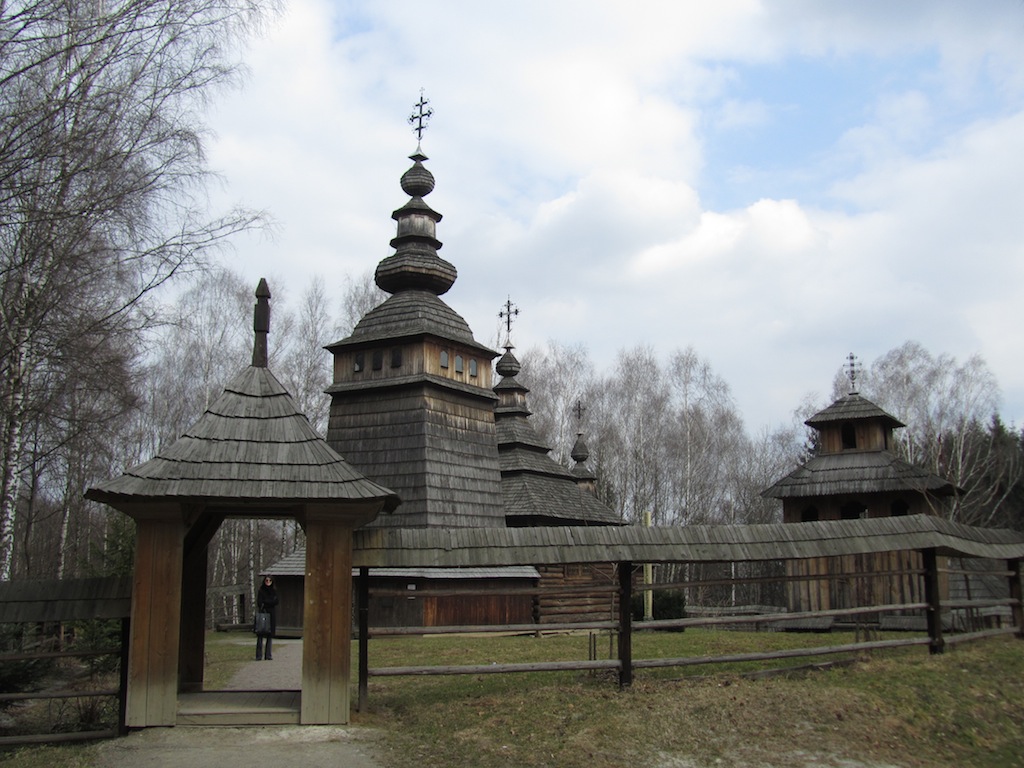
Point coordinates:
[[935, 618]]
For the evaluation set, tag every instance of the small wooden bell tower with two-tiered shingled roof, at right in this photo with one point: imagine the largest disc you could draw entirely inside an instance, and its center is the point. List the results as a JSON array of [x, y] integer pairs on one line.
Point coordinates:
[[856, 476]]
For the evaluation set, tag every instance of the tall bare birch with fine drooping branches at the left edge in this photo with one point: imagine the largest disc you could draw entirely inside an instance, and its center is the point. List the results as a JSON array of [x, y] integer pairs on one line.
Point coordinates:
[[102, 173]]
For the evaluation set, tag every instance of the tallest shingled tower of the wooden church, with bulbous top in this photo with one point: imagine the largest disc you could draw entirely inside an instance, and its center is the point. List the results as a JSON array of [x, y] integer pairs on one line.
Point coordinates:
[[411, 403]]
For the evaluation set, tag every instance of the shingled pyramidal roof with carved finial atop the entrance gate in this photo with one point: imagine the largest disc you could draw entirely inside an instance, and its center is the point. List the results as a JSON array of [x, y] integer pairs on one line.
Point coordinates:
[[252, 448]]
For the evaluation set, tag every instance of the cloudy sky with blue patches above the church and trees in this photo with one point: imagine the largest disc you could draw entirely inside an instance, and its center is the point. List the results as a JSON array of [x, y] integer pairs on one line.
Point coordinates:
[[776, 184]]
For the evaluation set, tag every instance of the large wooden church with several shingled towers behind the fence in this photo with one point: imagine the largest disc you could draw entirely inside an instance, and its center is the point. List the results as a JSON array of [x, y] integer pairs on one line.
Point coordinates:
[[415, 408]]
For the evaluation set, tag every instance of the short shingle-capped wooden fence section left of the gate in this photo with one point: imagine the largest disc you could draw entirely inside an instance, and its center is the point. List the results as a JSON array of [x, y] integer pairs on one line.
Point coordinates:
[[44, 609]]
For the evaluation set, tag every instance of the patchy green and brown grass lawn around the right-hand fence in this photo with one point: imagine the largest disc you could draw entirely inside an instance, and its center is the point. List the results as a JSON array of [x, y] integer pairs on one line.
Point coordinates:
[[892, 708]]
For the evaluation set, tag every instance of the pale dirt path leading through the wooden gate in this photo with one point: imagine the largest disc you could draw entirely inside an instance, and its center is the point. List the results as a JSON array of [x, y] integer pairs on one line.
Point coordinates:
[[313, 747]]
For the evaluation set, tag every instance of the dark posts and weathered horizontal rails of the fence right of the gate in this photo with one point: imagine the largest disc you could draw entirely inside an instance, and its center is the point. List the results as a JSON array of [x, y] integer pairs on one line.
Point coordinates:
[[926, 579]]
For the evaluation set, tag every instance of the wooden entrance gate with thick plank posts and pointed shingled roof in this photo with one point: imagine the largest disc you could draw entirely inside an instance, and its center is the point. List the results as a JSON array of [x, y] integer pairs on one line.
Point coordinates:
[[252, 454]]
